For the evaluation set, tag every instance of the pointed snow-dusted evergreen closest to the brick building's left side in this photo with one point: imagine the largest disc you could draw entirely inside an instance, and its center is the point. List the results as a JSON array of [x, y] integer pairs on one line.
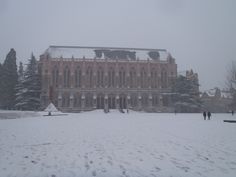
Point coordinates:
[[32, 86]]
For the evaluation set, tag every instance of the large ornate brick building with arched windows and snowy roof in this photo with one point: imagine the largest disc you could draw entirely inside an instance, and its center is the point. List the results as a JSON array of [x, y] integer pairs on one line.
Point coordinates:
[[87, 78]]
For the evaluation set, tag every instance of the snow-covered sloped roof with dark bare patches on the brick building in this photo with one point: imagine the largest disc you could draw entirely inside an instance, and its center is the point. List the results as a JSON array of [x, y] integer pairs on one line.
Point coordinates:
[[106, 53]]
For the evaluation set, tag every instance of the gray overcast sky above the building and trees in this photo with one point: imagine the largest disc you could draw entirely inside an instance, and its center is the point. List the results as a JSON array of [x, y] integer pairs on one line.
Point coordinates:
[[200, 34]]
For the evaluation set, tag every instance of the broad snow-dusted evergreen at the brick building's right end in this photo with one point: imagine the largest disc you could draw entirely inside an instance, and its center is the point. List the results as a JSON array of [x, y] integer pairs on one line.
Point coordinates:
[[186, 97]]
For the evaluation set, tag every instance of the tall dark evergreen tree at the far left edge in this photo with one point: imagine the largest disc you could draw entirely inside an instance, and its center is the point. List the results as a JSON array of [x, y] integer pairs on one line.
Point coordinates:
[[9, 80]]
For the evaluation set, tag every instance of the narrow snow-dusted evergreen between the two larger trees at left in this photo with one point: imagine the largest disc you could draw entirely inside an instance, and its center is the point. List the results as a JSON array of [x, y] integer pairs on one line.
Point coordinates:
[[20, 88]]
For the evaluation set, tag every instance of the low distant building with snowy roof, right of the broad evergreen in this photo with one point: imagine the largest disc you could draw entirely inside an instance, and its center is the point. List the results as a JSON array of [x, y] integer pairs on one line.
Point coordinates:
[[216, 100]]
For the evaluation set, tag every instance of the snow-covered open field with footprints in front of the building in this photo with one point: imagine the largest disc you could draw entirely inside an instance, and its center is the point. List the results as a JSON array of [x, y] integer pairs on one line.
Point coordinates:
[[117, 145]]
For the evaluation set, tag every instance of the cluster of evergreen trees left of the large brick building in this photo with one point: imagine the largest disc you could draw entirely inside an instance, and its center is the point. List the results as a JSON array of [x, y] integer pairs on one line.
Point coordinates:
[[19, 88]]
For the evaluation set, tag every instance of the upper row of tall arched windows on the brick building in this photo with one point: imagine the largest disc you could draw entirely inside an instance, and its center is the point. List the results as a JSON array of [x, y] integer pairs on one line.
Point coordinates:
[[100, 78]]
